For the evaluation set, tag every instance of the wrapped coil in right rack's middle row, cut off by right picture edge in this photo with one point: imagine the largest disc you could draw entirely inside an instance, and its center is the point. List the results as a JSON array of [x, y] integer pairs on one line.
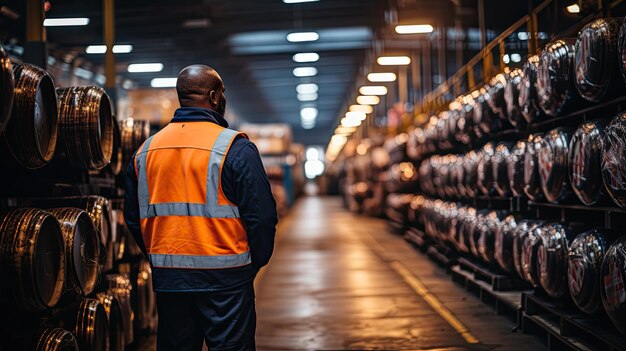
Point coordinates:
[[614, 159]]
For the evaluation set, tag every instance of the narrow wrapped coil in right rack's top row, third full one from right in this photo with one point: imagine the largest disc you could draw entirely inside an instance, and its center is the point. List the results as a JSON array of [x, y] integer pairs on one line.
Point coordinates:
[[528, 99]]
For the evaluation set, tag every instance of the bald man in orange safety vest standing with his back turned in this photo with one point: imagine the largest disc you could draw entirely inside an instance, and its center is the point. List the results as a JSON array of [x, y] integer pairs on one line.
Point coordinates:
[[199, 204]]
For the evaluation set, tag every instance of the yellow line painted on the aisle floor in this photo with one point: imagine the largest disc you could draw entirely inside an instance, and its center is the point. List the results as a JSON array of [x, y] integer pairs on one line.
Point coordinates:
[[433, 301]]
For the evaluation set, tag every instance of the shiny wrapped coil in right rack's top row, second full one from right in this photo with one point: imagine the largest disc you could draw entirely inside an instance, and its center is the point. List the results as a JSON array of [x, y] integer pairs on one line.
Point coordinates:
[[555, 83]]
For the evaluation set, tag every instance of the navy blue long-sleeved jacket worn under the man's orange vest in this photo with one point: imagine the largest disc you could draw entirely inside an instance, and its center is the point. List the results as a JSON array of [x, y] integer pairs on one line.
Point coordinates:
[[245, 184]]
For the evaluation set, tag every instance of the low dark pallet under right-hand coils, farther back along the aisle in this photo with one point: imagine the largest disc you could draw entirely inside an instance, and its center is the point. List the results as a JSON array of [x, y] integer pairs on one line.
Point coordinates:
[[507, 303]]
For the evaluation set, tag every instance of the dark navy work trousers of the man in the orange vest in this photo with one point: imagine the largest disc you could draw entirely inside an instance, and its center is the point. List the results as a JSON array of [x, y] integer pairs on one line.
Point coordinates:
[[225, 320]]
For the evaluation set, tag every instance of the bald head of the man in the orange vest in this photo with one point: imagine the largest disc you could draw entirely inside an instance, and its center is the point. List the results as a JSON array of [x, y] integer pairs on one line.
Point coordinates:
[[201, 86]]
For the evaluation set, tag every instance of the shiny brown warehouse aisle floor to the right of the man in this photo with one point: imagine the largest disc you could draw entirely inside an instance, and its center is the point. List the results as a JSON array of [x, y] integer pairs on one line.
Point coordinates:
[[342, 281]]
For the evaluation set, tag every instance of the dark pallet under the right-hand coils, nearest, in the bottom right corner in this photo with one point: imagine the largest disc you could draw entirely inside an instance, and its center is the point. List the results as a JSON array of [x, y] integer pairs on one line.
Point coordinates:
[[564, 328]]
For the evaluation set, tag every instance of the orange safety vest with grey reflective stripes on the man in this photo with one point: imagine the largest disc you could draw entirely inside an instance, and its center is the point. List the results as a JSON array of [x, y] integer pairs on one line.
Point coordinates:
[[186, 220]]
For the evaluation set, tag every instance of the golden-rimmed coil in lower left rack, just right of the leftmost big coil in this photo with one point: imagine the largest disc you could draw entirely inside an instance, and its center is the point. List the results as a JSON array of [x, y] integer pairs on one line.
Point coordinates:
[[82, 248]]
